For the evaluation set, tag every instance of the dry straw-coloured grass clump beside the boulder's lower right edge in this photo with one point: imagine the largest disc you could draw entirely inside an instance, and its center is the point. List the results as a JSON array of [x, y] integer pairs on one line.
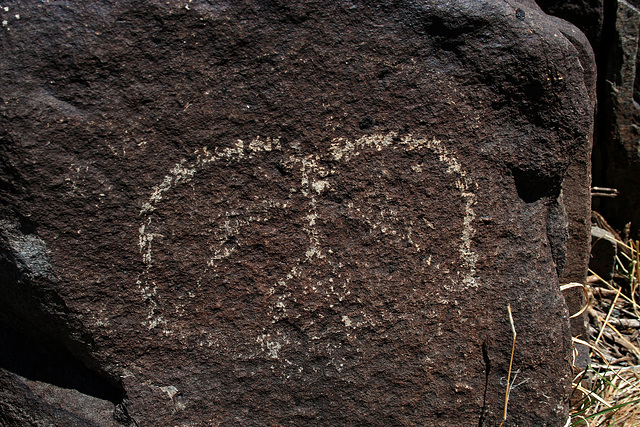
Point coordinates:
[[607, 393]]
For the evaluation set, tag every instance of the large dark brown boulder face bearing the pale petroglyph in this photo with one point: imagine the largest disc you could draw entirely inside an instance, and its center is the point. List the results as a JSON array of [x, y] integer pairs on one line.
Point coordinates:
[[277, 213]]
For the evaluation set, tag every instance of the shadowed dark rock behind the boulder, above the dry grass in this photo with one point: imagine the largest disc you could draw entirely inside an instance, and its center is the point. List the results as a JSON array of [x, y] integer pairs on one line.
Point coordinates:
[[613, 27]]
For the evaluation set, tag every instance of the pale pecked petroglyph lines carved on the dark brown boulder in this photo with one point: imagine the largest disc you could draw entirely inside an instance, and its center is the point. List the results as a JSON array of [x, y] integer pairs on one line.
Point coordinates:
[[314, 181]]
